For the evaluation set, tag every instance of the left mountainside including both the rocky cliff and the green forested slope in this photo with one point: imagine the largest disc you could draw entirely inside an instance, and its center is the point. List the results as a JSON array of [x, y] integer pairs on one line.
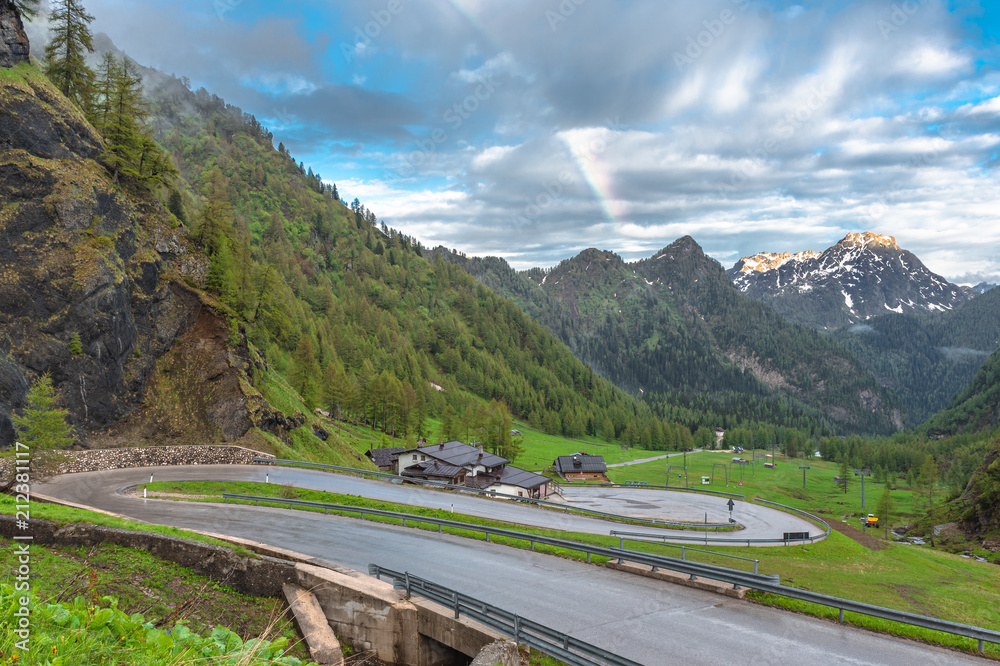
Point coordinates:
[[181, 316]]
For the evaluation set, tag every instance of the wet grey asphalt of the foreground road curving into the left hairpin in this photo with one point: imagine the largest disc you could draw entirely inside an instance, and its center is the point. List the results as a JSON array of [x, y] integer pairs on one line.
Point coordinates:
[[649, 621]]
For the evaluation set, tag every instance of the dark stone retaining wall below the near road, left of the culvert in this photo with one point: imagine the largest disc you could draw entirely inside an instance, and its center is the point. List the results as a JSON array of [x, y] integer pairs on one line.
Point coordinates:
[[260, 576]]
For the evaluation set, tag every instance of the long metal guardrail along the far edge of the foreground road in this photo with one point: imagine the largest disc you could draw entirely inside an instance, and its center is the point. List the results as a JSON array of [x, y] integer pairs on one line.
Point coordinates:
[[766, 583]]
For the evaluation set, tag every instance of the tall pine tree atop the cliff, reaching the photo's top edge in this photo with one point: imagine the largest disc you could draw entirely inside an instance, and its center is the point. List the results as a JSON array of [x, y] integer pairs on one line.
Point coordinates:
[[65, 55]]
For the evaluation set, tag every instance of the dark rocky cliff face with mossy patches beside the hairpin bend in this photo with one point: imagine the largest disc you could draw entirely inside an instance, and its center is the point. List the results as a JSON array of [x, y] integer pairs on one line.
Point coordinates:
[[93, 280]]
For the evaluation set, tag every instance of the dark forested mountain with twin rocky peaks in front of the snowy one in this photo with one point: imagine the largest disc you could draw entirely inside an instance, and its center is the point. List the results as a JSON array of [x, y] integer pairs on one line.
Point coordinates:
[[674, 326]]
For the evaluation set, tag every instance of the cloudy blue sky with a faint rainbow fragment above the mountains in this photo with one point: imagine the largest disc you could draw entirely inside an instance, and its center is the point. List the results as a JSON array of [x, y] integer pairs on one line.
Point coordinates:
[[534, 129]]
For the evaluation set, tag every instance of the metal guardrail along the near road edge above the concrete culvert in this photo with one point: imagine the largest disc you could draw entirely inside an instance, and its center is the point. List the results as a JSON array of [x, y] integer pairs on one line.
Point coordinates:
[[553, 643]]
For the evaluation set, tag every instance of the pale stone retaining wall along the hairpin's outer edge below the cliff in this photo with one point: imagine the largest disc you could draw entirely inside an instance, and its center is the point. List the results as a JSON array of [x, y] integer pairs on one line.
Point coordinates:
[[96, 460]]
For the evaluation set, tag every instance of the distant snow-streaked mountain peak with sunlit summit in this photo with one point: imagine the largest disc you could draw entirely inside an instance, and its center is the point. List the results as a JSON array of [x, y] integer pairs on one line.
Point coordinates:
[[862, 276]]
